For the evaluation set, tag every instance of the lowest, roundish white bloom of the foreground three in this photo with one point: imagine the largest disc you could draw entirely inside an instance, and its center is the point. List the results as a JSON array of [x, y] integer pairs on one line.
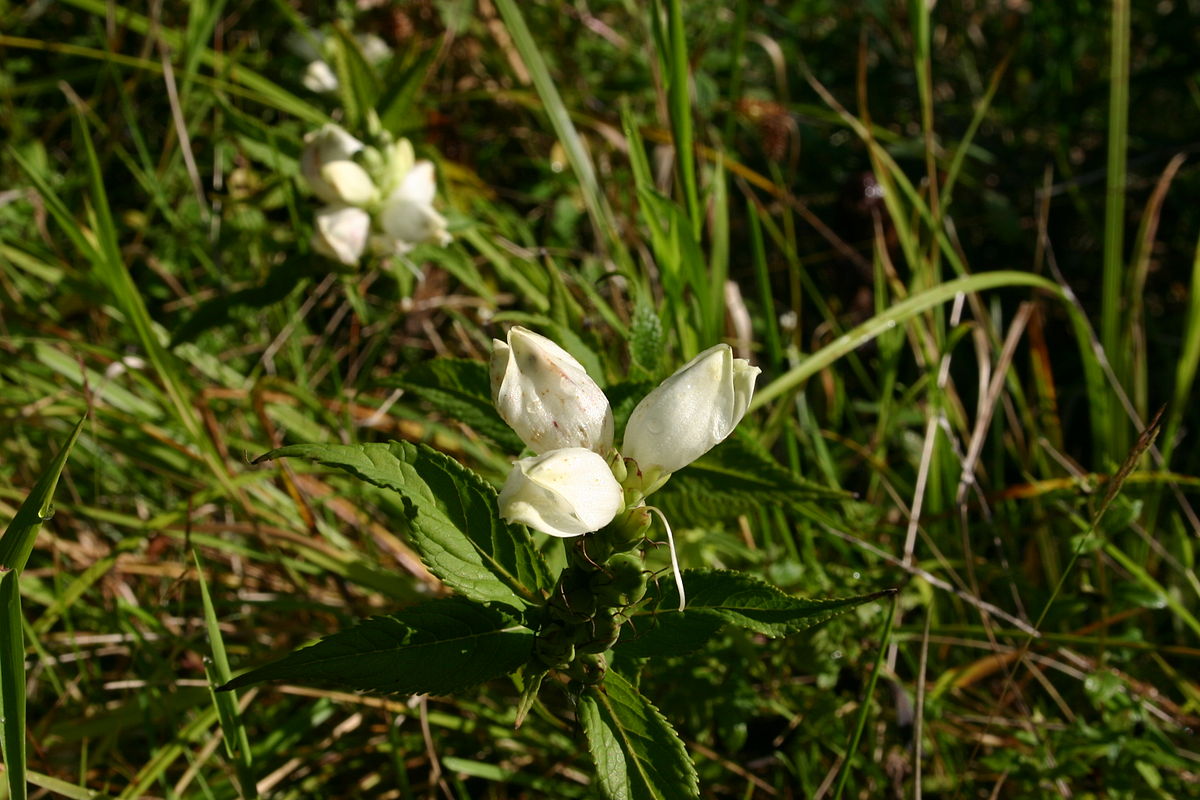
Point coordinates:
[[566, 492]]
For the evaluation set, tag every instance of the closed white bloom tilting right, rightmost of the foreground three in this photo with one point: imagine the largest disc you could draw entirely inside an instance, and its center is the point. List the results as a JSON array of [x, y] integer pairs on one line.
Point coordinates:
[[691, 412]]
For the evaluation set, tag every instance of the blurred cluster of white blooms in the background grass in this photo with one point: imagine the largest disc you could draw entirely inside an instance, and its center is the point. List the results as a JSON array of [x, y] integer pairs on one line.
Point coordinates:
[[377, 200]]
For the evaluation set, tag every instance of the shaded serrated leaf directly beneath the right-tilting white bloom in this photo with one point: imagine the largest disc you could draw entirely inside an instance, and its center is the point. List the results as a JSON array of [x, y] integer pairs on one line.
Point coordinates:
[[735, 478]]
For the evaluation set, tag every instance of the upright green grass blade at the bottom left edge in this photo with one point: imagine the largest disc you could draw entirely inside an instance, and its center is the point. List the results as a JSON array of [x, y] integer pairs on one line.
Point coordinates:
[[13, 685]]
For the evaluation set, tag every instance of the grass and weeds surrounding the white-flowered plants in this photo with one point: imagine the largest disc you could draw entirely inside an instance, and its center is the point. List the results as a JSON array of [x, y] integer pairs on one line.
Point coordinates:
[[1004, 195]]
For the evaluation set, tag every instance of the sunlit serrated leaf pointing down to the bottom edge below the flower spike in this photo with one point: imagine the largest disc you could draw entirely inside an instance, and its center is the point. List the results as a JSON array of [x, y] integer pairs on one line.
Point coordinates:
[[638, 754]]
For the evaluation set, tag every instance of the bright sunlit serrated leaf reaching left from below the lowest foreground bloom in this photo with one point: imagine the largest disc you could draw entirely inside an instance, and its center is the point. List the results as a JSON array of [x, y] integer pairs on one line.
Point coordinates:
[[453, 514]]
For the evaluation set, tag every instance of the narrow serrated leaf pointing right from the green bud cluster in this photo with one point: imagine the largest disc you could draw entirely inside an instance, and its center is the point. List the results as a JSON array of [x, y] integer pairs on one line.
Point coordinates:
[[743, 600]]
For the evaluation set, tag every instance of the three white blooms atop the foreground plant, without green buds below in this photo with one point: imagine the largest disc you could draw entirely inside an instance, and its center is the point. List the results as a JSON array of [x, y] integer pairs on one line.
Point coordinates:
[[577, 483]]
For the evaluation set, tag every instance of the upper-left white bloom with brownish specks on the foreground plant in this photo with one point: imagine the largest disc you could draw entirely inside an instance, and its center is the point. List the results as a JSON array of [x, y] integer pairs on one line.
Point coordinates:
[[547, 396]]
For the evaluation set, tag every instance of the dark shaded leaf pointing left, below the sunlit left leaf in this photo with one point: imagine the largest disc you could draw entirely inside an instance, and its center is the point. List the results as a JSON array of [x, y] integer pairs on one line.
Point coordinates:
[[436, 648]]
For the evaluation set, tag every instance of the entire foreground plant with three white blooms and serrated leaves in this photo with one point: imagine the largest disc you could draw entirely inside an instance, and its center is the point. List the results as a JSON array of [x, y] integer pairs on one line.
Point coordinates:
[[591, 628]]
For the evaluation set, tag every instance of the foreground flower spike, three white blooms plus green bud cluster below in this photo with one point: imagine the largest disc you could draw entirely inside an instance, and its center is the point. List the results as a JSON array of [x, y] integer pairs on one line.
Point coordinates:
[[577, 485]]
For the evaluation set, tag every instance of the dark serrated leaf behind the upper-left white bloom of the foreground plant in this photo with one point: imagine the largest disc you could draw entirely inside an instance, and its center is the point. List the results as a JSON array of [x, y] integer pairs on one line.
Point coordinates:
[[461, 390]]
